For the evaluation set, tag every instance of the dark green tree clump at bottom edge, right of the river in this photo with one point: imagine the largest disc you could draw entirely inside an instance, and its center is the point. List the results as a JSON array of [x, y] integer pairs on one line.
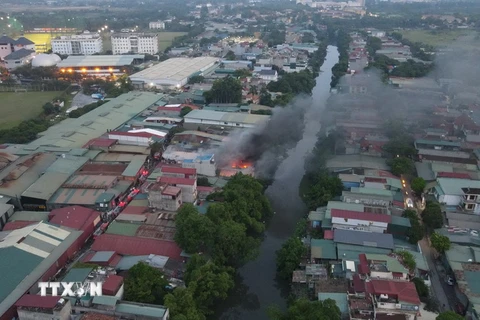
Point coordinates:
[[303, 309]]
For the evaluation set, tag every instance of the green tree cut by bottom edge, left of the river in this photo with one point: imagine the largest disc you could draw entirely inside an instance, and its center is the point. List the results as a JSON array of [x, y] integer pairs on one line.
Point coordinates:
[[182, 305]]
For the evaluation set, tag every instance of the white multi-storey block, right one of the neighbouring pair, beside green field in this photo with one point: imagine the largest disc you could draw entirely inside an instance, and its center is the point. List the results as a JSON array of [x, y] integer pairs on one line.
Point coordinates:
[[135, 43]]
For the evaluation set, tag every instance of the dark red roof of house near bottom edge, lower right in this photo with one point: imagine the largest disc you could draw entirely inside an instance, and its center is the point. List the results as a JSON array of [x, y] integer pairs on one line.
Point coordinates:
[[403, 291]]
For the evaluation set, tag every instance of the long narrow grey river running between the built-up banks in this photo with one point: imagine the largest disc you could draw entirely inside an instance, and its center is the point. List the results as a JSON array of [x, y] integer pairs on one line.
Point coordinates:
[[257, 287]]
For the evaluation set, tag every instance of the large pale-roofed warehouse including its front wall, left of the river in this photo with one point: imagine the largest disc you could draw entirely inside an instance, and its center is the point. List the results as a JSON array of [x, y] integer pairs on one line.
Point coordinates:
[[173, 73]]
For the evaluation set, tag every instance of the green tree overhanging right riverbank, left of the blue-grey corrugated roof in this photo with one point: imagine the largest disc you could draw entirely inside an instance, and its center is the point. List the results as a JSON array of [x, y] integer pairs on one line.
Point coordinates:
[[289, 257]]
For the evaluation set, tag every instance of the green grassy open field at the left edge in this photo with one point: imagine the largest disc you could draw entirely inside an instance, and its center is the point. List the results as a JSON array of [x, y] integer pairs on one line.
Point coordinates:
[[19, 106]]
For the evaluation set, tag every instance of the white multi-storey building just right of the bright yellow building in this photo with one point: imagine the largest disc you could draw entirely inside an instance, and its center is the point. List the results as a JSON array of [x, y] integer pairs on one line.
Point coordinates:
[[86, 43]]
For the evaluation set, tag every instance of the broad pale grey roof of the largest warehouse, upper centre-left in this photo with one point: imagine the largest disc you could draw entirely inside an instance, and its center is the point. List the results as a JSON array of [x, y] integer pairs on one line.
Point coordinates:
[[174, 69]]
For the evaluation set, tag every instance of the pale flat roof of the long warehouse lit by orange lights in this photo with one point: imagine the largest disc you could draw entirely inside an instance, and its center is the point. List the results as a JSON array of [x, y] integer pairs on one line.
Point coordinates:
[[99, 61]]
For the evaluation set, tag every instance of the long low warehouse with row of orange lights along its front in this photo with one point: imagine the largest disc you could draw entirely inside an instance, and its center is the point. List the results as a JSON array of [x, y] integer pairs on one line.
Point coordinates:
[[99, 65]]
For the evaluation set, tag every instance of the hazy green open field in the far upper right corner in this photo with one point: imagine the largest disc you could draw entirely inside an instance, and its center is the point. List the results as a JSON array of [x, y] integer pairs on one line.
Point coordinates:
[[435, 37]]
